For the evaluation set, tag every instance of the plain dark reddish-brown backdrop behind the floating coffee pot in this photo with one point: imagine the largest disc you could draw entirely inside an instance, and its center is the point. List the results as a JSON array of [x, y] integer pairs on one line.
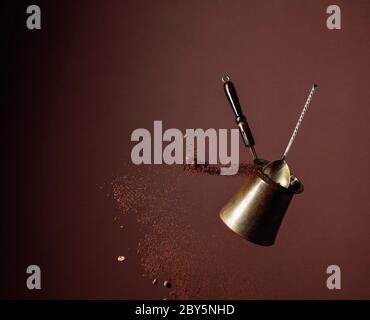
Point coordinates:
[[99, 69]]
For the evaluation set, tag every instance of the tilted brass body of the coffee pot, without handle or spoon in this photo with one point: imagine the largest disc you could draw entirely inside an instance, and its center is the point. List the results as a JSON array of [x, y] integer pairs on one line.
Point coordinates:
[[256, 211]]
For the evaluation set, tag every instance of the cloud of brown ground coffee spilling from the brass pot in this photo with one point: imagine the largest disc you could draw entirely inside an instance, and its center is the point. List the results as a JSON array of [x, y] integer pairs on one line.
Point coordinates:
[[169, 247]]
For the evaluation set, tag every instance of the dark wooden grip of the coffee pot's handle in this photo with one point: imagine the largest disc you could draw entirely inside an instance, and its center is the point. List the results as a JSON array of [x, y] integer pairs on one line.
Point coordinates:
[[241, 120]]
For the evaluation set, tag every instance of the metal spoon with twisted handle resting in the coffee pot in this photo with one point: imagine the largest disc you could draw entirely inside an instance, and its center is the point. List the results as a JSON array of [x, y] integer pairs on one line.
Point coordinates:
[[278, 170]]
